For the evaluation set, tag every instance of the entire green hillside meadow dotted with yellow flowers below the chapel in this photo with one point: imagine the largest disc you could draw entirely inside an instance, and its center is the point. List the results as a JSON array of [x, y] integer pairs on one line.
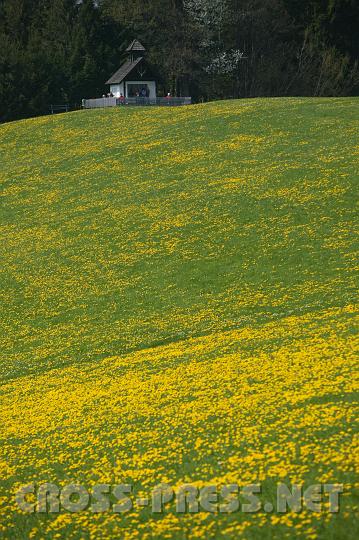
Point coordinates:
[[178, 305]]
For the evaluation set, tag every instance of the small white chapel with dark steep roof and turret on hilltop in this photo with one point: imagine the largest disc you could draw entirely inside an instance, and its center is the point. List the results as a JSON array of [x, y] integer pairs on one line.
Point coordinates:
[[134, 77]]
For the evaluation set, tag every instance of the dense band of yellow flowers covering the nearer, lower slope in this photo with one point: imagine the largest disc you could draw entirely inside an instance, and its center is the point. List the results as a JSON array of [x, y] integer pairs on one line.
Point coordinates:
[[208, 410]]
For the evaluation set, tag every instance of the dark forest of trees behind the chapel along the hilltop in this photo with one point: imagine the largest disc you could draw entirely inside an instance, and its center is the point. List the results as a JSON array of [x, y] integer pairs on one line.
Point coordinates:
[[60, 51]]
